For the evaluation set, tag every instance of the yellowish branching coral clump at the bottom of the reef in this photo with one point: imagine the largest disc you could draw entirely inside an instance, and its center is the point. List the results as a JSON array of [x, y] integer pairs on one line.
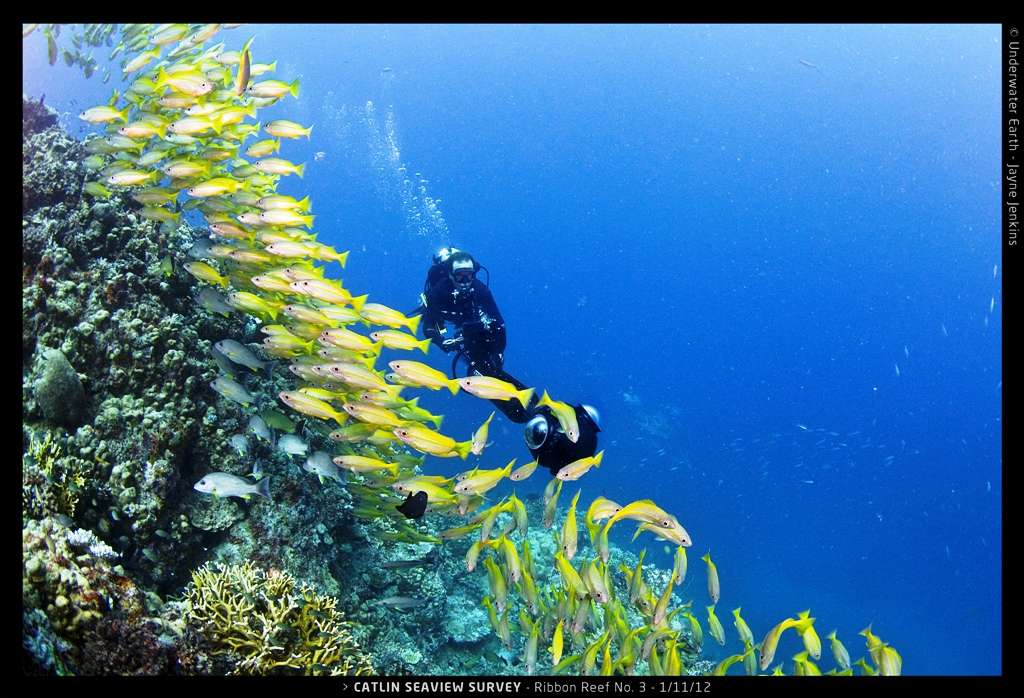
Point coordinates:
[[269, 627]]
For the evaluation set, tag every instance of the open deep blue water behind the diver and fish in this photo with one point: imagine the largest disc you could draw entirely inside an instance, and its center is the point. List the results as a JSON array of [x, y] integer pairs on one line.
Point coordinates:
[[769, 255]]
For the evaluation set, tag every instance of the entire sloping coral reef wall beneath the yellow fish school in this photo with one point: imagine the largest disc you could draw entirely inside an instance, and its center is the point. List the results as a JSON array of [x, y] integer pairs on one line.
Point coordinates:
[[117, 481]]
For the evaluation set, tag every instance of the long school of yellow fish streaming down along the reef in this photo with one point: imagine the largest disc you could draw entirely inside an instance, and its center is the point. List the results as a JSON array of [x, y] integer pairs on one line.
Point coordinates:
[[181, 132]]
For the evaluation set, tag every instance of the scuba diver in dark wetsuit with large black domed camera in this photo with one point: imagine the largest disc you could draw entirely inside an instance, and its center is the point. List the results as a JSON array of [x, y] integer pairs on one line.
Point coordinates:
[[453, 294]]
